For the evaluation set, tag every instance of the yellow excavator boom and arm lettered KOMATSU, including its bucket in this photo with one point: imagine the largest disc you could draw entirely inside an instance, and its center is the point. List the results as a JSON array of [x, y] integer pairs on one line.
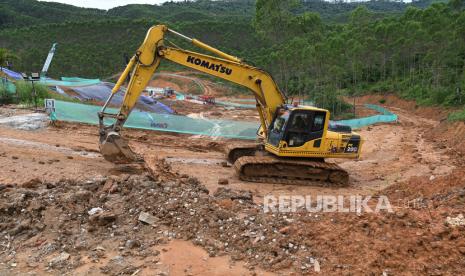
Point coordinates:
[[145, 62]]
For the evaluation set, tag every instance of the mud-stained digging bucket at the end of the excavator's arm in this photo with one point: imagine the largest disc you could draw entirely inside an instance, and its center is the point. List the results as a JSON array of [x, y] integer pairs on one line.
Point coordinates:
[[115, 148]]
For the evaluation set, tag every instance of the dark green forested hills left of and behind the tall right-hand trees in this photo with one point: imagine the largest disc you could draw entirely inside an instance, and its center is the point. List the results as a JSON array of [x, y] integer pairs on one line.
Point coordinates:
[[92, 42]]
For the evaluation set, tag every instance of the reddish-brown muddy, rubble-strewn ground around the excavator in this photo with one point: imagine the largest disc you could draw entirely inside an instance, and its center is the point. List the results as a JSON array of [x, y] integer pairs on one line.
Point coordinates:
[[65, 210]]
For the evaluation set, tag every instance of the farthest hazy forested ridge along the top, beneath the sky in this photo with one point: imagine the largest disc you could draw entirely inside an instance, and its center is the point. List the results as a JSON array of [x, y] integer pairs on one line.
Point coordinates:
[[20, 13]]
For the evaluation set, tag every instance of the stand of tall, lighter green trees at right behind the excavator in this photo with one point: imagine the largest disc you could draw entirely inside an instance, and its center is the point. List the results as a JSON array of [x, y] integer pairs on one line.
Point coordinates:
[[419, 54]]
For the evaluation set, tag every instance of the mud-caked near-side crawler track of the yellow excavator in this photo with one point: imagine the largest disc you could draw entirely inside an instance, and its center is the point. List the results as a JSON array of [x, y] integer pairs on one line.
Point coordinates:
[[270, 169]]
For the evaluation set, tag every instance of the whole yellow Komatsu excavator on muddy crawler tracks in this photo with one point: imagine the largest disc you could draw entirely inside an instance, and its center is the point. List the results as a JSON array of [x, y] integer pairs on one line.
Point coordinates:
[[293, 140]]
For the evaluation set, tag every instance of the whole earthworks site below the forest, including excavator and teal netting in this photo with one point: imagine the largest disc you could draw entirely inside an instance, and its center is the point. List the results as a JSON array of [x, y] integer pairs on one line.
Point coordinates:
[[175, 172]]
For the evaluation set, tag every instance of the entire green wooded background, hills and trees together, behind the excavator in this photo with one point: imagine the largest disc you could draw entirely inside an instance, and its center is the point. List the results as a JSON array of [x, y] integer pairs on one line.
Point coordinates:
[[319, 49]]
